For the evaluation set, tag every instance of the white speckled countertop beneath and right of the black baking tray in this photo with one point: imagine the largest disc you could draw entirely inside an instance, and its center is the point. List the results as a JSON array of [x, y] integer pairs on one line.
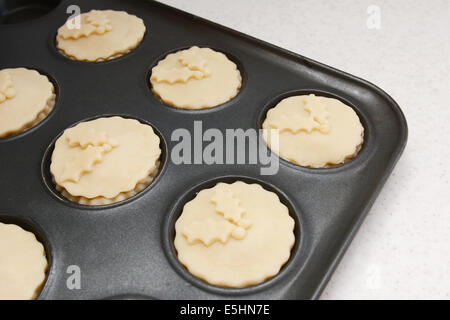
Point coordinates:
[[402, 250]]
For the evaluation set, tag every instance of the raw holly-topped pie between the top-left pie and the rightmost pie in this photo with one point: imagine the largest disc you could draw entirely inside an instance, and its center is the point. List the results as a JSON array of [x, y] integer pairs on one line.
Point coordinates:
[[196, 78]]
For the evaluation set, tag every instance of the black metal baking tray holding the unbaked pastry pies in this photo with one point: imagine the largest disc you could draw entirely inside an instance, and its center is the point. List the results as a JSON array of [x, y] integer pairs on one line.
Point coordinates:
[[125, 250]]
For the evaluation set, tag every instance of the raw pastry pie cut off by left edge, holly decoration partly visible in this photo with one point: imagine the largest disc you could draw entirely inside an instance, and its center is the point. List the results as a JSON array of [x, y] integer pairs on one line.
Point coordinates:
[[26, 98]]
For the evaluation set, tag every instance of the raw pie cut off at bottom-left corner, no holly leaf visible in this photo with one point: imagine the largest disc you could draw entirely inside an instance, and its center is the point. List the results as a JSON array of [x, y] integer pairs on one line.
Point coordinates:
[[23, 263]]
